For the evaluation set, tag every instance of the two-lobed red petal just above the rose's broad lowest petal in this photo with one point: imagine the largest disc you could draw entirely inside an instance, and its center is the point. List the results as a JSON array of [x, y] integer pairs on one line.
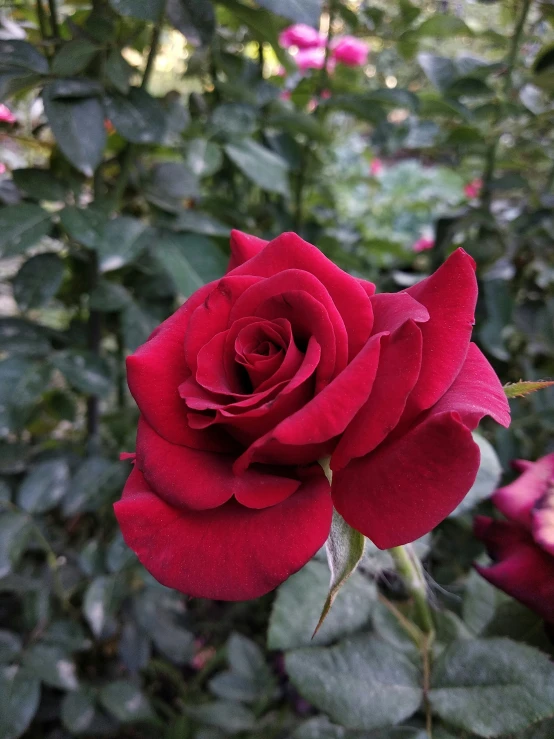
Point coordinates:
[[188, 478]]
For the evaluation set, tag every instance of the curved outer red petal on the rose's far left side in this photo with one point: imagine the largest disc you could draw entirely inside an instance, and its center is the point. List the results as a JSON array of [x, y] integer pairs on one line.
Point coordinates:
[[154, 373]]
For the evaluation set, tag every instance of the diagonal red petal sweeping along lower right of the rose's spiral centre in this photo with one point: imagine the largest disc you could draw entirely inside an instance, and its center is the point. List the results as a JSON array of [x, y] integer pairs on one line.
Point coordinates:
[[328, 413]]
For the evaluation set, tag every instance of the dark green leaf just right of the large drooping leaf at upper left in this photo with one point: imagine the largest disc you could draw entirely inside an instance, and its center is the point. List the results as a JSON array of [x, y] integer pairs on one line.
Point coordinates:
[[138, 117]]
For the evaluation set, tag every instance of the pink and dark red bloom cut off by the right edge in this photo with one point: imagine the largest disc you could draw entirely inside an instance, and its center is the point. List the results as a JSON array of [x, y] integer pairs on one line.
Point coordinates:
[[523, 546]]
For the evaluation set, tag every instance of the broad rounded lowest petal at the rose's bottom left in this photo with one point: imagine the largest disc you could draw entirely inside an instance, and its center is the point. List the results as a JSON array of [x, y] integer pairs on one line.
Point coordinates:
[[227, 553]]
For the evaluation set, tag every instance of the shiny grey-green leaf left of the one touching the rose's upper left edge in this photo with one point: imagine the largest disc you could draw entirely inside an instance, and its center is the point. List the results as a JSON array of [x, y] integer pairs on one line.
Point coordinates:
[[121, 243]]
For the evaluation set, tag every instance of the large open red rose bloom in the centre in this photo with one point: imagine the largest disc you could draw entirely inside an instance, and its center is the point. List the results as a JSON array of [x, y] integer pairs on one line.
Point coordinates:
[[285, 360]]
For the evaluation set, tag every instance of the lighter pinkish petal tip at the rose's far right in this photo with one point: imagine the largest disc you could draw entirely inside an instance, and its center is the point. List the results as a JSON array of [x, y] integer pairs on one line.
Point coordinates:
[[476, 392]]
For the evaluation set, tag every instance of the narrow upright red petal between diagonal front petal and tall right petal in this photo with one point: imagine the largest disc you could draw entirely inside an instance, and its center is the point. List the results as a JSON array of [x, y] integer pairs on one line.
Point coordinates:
[[398, 370]]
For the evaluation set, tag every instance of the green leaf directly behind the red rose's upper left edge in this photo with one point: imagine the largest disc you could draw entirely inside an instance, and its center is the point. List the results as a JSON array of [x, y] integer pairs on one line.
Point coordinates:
[[189, 261]]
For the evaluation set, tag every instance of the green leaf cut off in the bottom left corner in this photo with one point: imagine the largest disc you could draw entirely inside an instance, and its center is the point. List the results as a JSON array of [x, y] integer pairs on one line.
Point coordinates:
[[19, 699]]
